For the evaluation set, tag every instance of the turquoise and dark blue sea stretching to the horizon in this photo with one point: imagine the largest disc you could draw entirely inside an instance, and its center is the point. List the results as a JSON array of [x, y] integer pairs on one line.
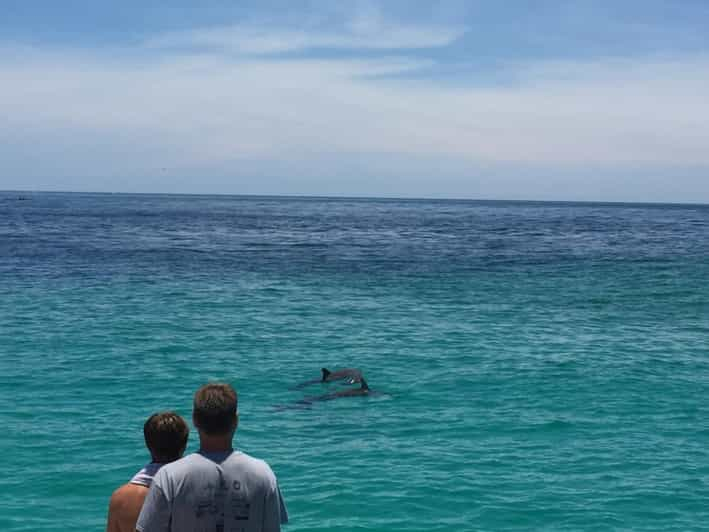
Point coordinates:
[[544, 366]]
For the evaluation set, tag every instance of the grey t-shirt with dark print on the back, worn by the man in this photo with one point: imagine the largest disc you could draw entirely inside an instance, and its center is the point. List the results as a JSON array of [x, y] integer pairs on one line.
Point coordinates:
[[214, 492]]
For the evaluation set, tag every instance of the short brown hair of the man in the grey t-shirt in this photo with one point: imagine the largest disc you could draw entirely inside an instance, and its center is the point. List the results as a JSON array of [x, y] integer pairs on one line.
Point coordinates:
[[215, 408]]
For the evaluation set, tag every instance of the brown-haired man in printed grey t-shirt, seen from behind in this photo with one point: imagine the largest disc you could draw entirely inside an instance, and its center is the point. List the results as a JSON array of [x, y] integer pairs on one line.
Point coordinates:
[[216, 489]]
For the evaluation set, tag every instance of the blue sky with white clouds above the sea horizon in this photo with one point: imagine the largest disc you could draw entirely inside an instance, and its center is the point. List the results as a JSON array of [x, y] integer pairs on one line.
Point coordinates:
[[541, 100]]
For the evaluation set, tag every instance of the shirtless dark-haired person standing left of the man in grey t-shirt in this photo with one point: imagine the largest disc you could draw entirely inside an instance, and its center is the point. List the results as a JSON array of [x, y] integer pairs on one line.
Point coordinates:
[[166, 438]]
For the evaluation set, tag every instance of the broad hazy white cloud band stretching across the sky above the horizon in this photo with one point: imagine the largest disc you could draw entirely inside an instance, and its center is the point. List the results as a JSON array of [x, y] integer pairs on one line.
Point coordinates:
[[133, 112]]
